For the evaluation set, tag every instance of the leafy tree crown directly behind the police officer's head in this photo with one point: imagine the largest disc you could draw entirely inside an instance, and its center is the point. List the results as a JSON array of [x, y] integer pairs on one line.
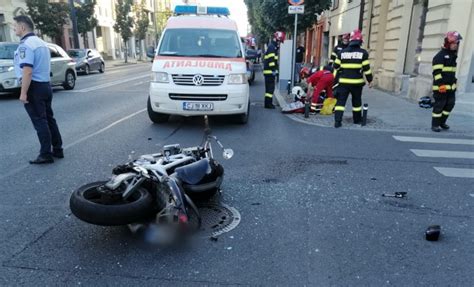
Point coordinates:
[[49, 18]]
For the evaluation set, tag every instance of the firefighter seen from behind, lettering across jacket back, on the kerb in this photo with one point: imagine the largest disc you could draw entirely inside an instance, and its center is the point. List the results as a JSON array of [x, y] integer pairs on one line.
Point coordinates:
[[350, 64]]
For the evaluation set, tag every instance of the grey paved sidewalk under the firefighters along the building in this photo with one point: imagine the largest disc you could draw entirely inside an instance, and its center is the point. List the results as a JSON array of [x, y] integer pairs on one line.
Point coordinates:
[[394, 113]]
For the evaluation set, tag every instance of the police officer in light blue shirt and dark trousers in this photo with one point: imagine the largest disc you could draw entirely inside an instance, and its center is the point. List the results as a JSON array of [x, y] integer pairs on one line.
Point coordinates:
[[32, 68]]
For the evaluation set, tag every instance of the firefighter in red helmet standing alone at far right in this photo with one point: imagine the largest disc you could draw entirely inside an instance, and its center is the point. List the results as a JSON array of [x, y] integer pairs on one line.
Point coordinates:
[[444, 81]]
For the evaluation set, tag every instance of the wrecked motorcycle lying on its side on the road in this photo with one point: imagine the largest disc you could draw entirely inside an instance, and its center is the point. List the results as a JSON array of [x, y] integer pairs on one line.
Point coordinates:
[[157, 188]]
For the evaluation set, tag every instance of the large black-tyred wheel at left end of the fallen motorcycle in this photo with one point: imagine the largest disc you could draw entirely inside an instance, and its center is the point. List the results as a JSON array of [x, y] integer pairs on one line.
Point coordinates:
[[91, 205]]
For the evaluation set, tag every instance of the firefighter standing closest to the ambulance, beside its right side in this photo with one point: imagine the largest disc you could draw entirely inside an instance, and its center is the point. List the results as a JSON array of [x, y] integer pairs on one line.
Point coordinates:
[[270, 67]]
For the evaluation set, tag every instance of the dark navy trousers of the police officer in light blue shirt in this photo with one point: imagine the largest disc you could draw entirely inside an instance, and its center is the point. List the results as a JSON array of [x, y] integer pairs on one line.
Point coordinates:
[[39, 109]]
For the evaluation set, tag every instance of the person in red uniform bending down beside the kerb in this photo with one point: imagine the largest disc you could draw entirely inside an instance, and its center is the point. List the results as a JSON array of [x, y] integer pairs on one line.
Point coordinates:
[[321, 81]]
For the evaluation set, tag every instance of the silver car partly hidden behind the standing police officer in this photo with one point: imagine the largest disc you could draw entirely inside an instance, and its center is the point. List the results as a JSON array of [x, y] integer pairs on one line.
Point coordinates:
[[63, 71]]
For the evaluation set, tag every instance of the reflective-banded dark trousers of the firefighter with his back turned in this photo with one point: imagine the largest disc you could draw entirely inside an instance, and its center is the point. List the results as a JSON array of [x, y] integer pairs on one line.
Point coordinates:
[[342, 94]]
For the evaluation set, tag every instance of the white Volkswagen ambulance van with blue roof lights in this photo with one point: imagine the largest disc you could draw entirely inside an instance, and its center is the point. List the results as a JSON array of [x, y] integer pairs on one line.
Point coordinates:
[[199, 67]]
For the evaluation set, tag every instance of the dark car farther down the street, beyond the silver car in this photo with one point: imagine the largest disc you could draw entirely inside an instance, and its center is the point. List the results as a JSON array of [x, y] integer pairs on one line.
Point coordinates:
[[87, 60]]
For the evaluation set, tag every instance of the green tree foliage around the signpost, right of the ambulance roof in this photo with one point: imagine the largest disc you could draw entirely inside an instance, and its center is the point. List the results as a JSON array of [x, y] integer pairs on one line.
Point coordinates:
[[268, 16]]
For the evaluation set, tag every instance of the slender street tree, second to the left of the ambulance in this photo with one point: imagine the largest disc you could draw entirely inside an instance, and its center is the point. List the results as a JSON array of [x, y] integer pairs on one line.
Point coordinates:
[[123, 22]]
